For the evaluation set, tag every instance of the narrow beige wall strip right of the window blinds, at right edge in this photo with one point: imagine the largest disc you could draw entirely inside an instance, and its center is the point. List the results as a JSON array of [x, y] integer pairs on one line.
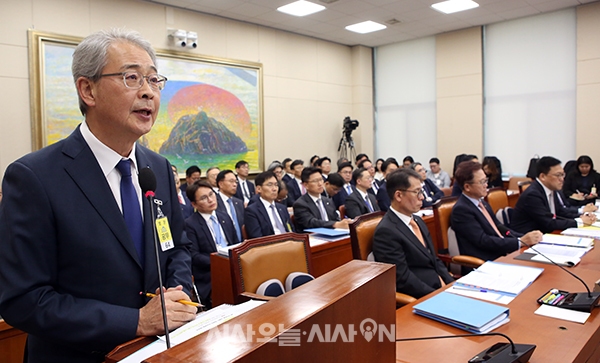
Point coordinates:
[[588, 81]]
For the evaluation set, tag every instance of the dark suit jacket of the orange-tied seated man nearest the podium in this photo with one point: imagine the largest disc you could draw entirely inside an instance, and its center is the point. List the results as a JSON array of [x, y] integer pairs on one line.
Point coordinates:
[[417, 268]]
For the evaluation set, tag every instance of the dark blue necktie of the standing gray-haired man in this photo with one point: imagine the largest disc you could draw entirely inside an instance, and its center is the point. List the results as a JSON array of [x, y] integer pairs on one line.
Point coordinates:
[[131, 208]]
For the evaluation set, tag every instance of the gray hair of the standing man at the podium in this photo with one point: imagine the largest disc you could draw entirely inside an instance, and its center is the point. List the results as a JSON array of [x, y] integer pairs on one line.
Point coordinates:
[[89, 57]]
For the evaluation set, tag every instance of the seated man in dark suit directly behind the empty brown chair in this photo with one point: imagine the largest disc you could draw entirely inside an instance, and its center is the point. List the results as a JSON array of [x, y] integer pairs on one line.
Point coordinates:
[[265, 217]]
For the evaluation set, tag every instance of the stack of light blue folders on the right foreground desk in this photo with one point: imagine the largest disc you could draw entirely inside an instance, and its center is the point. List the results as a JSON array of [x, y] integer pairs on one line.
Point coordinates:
[[464, 313]]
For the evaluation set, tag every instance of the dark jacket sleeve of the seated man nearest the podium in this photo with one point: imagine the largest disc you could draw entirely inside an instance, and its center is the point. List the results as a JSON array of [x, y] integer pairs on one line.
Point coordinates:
[[388, 248]]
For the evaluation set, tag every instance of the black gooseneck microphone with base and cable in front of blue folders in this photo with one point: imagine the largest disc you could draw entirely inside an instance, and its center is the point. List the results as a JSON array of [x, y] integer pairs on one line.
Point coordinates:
[[497, 353]]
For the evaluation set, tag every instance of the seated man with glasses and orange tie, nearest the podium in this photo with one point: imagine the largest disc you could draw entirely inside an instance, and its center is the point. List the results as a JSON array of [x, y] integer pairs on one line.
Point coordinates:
[[403, 239]]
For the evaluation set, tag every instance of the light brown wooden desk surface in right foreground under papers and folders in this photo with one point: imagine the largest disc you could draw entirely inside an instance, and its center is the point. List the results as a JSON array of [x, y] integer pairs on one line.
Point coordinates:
[[556, 340]]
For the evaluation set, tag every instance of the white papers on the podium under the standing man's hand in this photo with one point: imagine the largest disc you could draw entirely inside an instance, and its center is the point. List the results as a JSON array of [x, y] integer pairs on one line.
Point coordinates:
[[203, 322]]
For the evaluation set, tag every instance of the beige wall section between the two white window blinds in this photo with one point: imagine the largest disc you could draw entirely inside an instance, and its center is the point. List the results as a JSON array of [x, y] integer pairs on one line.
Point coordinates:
[[459, 89]]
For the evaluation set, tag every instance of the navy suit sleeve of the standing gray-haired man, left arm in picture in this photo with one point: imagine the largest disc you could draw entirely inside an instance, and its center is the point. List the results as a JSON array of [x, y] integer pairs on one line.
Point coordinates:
[[29, 254]]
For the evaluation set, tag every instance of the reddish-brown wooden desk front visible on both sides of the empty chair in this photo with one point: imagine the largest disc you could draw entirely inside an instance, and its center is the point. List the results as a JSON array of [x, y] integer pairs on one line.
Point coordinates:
[[325, 257]]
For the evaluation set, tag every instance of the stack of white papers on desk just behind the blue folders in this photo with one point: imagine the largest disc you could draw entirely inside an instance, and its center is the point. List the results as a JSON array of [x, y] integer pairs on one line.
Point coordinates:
[[500, 277]]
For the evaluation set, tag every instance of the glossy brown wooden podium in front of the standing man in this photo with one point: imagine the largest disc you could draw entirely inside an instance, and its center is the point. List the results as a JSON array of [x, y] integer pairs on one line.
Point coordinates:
[[347, 296]]
